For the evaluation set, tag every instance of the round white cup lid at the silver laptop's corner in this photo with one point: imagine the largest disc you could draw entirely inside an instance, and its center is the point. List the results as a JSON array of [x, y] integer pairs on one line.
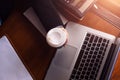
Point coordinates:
[[57, 37]]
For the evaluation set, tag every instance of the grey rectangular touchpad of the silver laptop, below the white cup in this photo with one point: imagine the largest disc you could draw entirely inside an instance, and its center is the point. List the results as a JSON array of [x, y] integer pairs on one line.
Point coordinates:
[[65, 56]]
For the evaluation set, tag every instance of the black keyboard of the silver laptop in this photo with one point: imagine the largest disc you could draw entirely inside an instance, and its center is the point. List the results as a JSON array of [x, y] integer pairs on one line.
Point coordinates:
[[90, 58]]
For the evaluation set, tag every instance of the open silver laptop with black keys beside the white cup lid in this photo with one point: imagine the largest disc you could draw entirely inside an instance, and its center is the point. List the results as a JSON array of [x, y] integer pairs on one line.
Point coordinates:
[[89, 54]]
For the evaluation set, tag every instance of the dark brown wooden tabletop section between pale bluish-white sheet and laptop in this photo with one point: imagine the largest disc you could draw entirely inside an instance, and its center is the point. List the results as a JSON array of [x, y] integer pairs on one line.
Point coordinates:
[[29, 43]]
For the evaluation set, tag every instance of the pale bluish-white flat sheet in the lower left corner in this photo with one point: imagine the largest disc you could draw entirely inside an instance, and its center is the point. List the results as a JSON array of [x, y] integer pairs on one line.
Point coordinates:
[[11, 67]]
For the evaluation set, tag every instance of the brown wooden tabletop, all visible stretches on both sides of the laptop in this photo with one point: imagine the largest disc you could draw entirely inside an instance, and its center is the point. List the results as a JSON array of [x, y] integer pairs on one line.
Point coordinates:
[[32, 48]]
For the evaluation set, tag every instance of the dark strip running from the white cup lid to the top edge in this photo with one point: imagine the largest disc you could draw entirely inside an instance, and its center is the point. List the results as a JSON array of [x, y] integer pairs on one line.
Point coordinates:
[[47, 14]]
